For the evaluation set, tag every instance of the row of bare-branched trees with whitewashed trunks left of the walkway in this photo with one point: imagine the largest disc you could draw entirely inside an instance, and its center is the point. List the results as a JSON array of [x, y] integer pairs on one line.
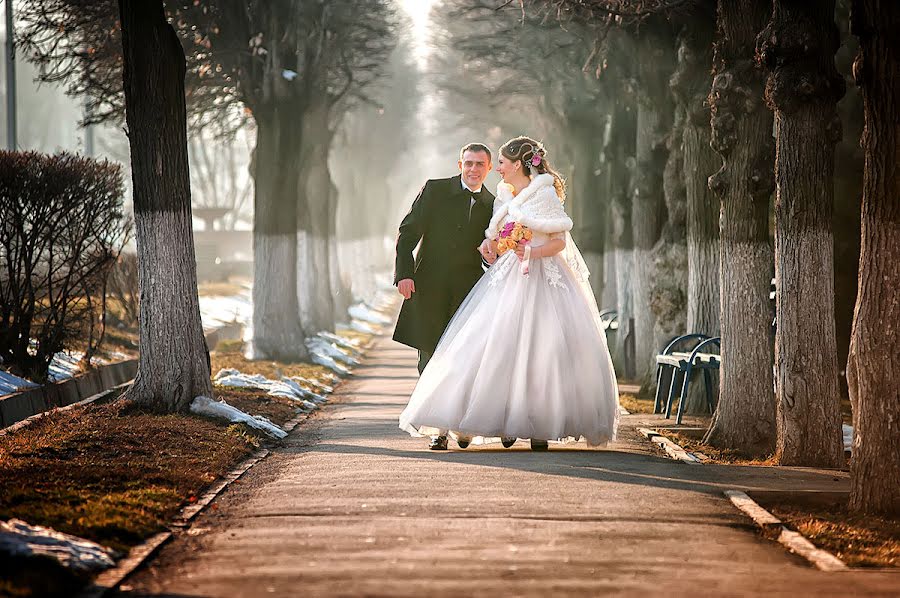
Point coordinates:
[[291, 70]]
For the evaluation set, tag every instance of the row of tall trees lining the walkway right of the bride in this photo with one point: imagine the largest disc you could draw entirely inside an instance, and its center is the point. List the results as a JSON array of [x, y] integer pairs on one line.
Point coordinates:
[[666, 110]]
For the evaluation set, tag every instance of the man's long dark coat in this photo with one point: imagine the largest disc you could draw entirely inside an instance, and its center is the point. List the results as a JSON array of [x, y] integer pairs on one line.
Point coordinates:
[[447, 265]]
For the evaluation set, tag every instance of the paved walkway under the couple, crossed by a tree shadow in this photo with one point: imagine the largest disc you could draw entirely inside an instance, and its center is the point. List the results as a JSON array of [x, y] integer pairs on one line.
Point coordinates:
[[351, 506]]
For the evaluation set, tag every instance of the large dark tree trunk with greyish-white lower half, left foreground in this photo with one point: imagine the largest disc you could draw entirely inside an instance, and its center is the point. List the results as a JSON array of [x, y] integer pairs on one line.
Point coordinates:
[[173, 367]]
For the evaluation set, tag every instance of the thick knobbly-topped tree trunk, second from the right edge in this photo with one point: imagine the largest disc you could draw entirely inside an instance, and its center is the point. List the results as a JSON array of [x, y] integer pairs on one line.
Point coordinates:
[[803, 87]]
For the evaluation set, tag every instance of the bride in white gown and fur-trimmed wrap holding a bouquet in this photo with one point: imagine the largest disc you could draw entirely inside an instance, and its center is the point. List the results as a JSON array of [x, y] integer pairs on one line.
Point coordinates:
[[524, 356]]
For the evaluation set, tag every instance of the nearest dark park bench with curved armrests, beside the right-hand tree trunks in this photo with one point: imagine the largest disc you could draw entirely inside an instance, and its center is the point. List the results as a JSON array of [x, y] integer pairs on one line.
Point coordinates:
[[679, 362]]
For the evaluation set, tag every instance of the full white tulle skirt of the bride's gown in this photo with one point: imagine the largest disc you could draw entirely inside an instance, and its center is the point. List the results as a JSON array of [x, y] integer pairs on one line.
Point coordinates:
[[523, 357]]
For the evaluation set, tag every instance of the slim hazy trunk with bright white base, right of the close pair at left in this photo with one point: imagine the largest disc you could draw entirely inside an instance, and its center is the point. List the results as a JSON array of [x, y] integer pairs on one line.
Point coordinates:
[[314, 269]]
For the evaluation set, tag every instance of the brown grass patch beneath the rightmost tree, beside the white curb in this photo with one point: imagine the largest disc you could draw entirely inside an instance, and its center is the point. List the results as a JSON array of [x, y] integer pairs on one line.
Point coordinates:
[[859, 541]]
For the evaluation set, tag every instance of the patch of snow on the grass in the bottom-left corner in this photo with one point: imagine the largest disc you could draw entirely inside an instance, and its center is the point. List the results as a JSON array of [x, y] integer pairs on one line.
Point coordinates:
[[18, 538]]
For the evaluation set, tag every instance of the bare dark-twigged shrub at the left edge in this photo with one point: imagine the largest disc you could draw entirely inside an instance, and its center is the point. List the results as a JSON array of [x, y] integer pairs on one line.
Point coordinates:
[[62, 228]]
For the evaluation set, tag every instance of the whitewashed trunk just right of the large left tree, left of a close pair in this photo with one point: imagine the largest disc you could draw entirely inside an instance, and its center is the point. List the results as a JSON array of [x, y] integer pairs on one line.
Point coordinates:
[[277, 331]]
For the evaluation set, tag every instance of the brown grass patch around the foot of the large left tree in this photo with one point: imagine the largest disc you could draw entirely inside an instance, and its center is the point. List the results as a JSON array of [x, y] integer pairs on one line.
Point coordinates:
[[112, 477]]
